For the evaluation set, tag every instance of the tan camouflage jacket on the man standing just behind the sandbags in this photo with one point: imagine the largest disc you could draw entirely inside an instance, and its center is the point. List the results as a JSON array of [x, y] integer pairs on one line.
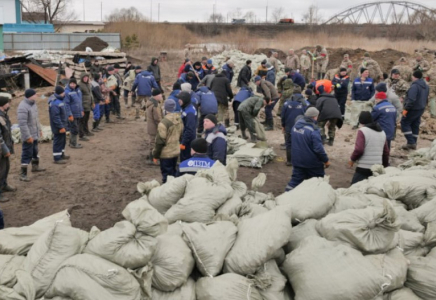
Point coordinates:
[[169, 132]]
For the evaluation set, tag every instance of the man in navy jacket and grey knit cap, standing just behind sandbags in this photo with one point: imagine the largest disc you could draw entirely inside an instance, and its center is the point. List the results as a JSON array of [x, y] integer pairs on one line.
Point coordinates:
[[309, 158]]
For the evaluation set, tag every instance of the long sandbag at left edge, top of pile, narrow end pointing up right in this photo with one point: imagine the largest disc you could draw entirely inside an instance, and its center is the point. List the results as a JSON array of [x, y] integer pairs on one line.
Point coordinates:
[[18, 240]]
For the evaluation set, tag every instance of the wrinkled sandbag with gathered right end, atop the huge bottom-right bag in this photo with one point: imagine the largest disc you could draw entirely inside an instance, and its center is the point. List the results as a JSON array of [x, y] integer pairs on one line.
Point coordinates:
[[371, 230]]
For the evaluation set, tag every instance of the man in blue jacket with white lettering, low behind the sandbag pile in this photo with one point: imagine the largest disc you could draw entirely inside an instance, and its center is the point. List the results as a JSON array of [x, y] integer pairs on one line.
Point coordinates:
[[198, 161]]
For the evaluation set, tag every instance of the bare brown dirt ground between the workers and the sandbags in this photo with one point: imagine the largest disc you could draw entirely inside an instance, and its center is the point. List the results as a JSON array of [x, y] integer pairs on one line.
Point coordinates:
[[100, 179]]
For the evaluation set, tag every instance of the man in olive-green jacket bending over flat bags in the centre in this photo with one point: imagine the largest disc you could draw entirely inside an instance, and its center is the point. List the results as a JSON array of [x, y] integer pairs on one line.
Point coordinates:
[[248, 111]]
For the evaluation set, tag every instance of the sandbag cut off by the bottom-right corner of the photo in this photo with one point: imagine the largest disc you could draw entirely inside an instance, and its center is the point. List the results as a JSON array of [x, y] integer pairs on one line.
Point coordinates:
[[421, 277]]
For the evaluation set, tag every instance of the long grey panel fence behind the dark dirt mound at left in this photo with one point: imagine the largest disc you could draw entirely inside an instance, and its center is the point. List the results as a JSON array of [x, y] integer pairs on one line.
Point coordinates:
[[55, 41]]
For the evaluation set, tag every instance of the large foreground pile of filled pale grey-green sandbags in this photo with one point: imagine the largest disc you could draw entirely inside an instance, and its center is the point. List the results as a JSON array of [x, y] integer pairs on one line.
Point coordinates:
[[210, 237]]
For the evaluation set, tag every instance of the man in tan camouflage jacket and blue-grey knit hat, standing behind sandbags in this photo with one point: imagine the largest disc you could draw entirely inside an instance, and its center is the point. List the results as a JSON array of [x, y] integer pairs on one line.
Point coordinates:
[[167, 147]]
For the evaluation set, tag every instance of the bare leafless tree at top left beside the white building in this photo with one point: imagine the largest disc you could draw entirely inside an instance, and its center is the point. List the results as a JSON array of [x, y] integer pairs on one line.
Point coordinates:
[[50, 10]]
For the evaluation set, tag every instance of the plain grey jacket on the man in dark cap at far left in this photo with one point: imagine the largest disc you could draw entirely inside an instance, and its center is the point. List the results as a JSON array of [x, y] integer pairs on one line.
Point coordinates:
[[28, 120]]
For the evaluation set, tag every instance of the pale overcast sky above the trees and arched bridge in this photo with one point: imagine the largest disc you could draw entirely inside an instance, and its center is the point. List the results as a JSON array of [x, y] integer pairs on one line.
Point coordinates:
[[199, 10]]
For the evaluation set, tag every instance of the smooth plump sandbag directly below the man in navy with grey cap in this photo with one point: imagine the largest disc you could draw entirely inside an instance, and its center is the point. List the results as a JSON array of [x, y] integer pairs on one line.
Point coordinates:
[[312, 199]]
